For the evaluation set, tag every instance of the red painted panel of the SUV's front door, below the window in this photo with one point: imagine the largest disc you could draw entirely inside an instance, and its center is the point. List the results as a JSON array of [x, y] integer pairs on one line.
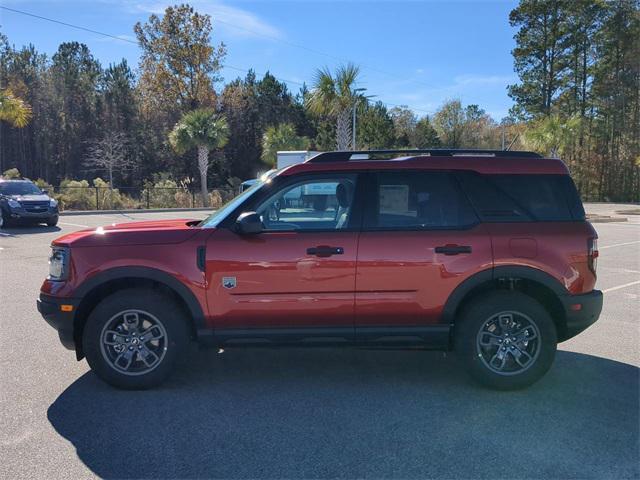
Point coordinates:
[[278, 283]]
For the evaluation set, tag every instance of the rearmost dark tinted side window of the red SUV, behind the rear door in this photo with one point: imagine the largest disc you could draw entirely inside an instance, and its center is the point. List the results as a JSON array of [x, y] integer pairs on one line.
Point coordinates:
[[517, 198]]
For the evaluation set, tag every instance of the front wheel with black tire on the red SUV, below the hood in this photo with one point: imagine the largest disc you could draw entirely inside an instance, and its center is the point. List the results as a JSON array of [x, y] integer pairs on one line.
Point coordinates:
[[116, 327]]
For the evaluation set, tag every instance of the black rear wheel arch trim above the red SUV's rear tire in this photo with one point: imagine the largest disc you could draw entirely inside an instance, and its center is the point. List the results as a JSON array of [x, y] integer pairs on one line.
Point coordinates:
[[531, 281]]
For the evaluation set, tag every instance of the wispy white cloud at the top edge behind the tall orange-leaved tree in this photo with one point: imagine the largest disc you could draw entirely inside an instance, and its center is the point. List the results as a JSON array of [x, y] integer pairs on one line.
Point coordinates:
[[233, 21]]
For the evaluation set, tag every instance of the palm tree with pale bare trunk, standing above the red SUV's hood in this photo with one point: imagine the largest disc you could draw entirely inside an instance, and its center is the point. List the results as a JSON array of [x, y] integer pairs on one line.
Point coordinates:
[[205, 130]]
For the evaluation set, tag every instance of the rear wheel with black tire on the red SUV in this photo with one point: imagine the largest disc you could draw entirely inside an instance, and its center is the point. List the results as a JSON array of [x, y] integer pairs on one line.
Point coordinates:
[[505, 340]]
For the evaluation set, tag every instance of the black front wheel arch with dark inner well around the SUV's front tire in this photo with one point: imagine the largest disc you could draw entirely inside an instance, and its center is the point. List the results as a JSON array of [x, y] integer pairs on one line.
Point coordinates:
[[120, 278]]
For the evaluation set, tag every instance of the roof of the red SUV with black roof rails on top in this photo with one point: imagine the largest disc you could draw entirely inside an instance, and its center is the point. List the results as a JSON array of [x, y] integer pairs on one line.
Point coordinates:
[[482, 161]]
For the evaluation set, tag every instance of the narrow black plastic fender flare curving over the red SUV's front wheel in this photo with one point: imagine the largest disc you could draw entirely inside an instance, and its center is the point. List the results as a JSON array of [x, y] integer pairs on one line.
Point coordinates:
[[147, 273]]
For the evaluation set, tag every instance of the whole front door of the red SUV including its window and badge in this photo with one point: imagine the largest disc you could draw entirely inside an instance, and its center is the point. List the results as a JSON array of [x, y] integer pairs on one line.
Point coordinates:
[[299, 273]]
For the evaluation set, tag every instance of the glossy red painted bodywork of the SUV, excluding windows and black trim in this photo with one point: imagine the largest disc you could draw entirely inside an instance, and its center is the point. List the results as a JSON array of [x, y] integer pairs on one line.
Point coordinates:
[[381, 278]]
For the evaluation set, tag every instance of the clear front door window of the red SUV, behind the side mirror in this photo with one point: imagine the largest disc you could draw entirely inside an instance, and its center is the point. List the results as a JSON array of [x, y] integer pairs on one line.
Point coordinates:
[[312, 204]]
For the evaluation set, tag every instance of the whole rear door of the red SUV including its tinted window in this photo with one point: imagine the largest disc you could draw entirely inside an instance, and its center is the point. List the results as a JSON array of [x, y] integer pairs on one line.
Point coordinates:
[[420, 240]]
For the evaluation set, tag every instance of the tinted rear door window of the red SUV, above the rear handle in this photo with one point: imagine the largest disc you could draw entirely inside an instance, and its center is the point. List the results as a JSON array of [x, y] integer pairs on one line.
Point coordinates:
[[418, 200]]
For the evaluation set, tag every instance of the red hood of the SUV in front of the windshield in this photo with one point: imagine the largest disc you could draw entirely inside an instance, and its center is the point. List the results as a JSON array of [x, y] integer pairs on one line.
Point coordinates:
[[132, 233]]
